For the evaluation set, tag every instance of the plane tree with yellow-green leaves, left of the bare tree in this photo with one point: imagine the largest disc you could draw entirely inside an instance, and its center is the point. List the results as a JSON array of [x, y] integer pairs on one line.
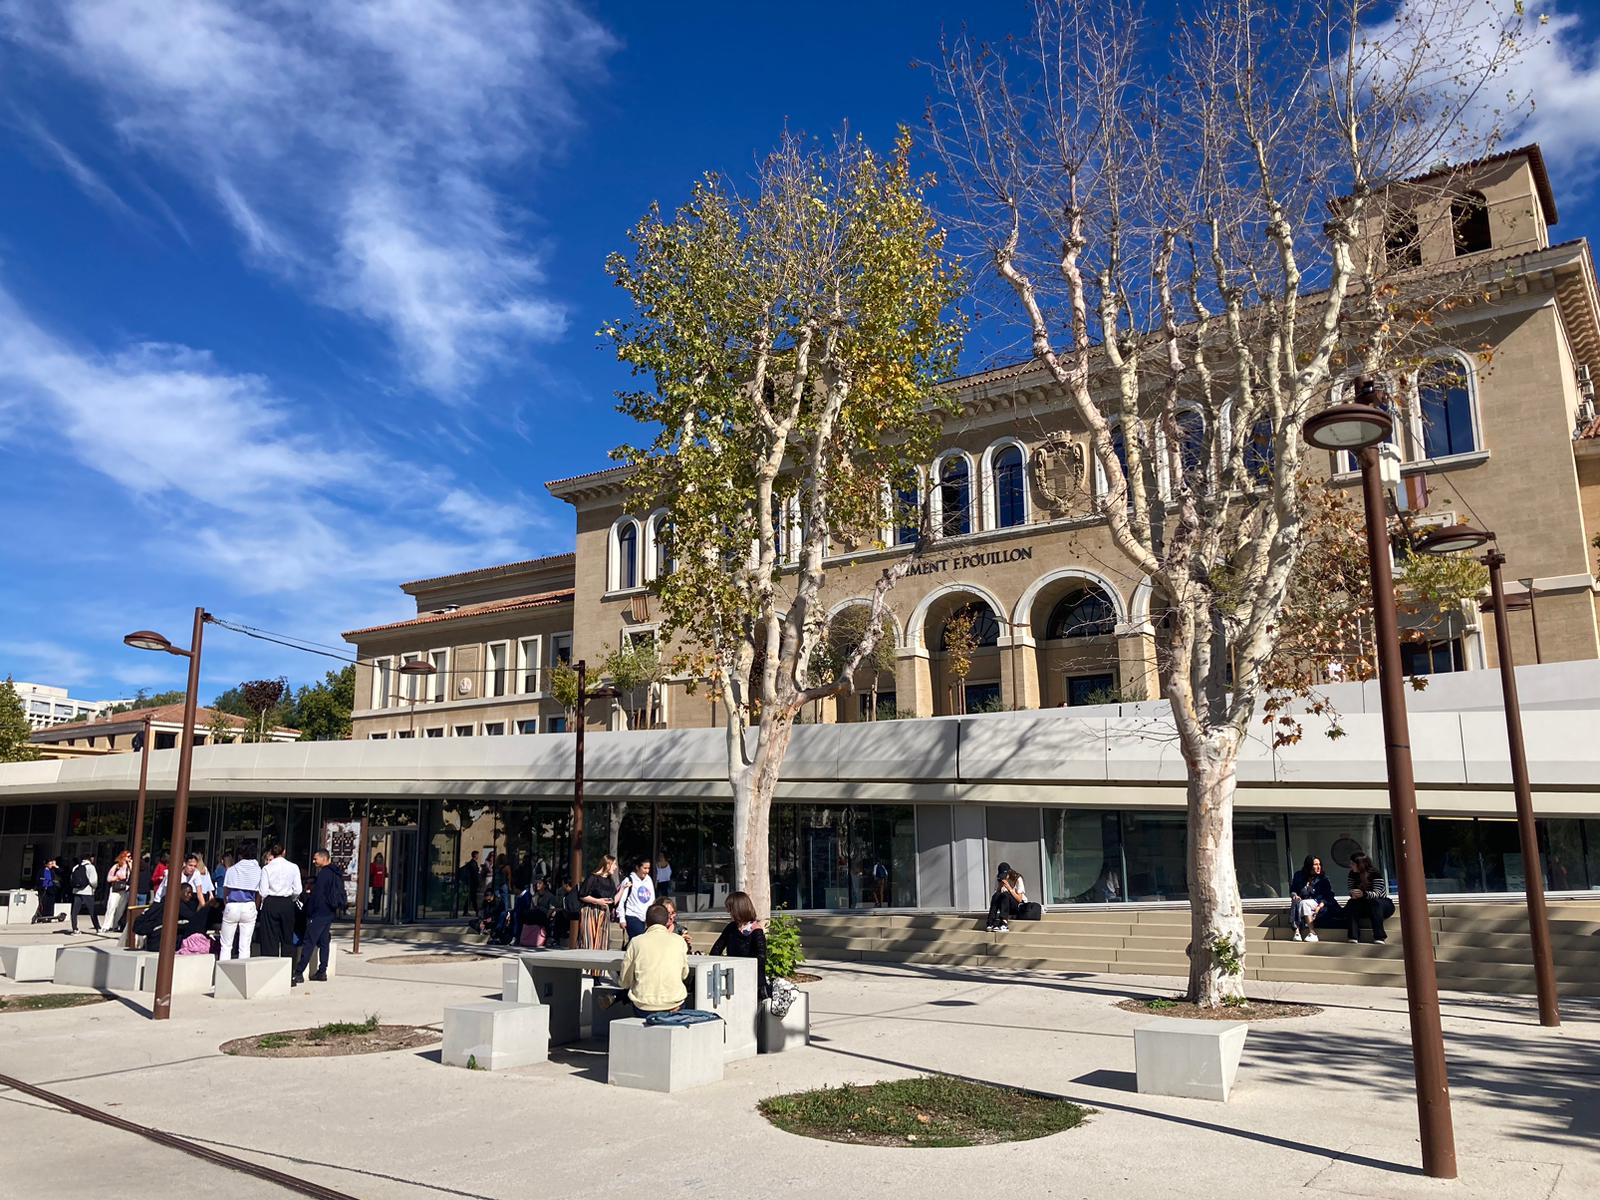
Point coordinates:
[[791, 346]]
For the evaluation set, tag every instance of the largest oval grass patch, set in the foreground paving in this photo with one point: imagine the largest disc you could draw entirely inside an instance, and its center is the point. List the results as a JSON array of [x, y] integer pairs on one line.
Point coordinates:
[[924, 1111]]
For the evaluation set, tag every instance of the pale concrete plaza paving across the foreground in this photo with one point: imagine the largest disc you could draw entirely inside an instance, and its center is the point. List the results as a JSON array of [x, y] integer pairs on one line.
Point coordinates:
[[1322, 1105]]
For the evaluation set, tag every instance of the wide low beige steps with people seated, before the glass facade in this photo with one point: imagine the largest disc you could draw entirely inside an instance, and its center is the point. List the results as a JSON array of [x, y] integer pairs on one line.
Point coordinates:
[[1481, 946]]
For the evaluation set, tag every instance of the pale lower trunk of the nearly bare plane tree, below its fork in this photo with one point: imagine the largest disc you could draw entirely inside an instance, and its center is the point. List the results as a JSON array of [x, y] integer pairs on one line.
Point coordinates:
[[1215, 913]]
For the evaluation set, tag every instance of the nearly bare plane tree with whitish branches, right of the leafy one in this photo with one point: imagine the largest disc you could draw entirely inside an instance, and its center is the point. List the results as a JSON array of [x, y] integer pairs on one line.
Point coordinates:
[[1199, 238]]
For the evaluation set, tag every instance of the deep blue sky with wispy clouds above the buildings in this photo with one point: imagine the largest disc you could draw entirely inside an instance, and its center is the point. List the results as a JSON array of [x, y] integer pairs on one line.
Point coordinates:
[[298, 300]]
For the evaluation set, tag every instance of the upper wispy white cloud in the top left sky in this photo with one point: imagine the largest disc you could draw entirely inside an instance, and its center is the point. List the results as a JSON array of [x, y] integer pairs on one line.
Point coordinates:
[[354, 145]]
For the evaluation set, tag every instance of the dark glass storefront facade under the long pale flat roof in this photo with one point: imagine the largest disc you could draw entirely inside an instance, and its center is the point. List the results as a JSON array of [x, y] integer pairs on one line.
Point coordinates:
[[823, 857]]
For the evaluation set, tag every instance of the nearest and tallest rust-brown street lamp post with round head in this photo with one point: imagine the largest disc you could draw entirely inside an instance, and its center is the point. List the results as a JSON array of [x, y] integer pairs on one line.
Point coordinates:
[[1361, 428]]
